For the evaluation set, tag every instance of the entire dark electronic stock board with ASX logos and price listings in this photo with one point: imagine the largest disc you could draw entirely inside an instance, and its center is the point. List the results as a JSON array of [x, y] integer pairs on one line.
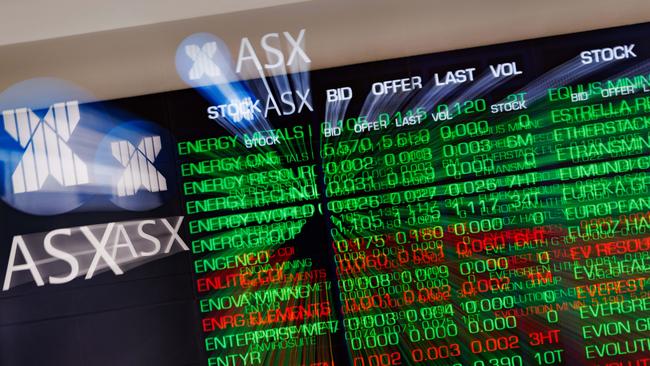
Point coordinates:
[[482, 207]]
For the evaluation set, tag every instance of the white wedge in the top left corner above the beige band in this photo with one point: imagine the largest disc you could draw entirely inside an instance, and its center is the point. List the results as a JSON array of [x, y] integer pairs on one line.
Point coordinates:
[[33, 20]]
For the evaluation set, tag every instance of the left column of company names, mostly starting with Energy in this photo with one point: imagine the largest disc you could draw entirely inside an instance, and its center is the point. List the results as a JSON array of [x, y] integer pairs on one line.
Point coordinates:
[[251, 201]]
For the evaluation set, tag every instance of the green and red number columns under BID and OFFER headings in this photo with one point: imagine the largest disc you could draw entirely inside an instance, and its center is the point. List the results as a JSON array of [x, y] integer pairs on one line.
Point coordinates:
[[382, 207]]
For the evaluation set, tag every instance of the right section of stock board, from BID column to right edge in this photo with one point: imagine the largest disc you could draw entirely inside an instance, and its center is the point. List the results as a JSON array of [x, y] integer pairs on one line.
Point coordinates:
[[493, 213]]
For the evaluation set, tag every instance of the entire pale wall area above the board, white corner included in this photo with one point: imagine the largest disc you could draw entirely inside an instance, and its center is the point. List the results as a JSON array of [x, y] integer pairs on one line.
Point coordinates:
[[85, 42]]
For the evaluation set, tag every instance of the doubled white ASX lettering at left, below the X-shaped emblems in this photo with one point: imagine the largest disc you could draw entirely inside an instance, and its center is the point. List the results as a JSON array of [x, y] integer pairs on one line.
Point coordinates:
[[62, 255]]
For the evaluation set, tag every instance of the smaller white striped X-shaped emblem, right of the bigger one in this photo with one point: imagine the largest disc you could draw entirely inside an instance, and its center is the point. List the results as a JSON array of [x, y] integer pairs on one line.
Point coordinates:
[[139, 170]]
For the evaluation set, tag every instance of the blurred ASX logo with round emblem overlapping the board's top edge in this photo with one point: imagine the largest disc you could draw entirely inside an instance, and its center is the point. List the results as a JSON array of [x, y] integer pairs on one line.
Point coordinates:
[[274, 67]]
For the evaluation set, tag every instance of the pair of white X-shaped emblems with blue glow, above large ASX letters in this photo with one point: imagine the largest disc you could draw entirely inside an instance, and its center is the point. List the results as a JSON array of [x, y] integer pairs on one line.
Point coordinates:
[[61, 163]]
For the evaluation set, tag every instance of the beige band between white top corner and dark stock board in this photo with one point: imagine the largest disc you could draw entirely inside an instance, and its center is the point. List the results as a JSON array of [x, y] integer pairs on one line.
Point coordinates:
[[140, 60]]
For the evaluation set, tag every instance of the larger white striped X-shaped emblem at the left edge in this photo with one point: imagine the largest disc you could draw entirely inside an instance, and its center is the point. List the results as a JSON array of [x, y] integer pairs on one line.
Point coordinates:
[[45, 141]]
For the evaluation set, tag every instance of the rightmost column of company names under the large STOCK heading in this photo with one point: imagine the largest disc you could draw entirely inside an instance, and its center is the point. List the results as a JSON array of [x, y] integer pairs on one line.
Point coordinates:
[[600, 133]]
